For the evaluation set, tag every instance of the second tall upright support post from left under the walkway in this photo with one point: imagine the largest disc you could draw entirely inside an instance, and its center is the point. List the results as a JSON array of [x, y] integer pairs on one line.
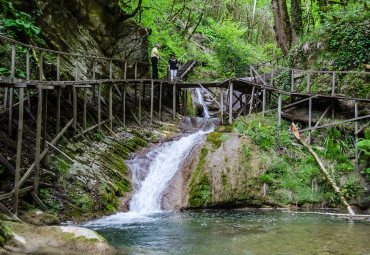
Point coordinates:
[[38, 144]]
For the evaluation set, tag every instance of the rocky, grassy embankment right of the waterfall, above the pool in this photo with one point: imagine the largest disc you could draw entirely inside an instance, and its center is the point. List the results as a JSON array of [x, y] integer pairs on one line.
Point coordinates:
[[252, 163]]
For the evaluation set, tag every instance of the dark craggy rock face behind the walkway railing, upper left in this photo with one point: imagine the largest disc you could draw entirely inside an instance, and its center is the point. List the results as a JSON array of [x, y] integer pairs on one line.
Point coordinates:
[[94, 28]]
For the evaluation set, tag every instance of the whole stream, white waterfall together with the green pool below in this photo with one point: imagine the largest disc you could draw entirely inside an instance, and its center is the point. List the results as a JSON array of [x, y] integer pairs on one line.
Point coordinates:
[[147, 229]]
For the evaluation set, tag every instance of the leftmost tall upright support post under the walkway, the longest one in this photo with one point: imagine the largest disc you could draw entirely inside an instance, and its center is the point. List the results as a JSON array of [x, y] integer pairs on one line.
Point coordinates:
[[19, 151]]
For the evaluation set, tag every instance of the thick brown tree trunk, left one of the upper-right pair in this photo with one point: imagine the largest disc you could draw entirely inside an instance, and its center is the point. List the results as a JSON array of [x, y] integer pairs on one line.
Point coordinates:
[[282, 25]]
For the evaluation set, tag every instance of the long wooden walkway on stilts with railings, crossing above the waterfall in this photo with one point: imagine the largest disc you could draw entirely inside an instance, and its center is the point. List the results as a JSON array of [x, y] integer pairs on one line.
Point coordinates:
[[238, 97]]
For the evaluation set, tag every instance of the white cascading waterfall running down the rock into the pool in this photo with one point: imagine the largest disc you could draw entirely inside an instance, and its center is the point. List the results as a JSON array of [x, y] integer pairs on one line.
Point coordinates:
[[152, 173]]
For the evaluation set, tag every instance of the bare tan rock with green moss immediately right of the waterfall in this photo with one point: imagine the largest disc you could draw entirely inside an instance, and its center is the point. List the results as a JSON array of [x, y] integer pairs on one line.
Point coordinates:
[[217, 175]]
